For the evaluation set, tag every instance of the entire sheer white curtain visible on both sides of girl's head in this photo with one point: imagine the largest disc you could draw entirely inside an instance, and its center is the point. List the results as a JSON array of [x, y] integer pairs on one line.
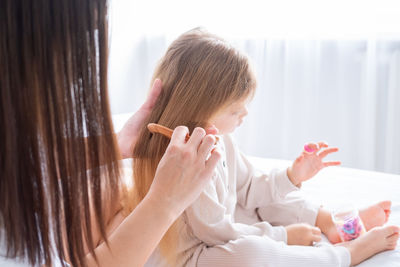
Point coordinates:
[[345, 91]]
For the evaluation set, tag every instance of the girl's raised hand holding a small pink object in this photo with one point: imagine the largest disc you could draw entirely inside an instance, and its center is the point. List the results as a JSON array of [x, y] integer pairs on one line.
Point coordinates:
[[310, 163]]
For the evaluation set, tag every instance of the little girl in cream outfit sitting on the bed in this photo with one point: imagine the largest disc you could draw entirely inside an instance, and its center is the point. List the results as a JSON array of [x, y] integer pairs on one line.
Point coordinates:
[[207, 82]]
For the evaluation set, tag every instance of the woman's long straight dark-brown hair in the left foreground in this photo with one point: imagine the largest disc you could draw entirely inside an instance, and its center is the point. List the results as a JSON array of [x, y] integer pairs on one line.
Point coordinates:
[[55, 124]]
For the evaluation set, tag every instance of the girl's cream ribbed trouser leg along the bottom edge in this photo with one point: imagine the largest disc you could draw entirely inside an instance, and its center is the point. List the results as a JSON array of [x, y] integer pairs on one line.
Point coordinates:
[[261, 251]]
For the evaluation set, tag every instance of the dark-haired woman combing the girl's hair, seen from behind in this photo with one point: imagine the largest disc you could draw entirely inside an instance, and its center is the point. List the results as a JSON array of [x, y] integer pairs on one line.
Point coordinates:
[[56, 125]]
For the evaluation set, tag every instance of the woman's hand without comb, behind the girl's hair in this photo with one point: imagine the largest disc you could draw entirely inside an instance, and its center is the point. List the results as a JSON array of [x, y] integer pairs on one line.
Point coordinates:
[[128, 135]]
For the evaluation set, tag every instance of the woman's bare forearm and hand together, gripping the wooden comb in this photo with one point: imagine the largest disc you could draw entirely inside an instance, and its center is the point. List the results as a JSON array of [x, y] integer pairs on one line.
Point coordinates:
[[181, 175]]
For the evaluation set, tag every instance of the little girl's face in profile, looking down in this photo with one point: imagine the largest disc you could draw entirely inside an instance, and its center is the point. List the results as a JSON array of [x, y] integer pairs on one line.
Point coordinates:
[[230, 117]]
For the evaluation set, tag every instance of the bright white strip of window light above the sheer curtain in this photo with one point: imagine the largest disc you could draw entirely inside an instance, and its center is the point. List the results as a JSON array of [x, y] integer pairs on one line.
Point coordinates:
[[266, 19]]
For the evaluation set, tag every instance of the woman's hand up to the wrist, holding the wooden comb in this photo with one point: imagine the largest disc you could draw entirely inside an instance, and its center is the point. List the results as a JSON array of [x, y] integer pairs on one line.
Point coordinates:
[[185, 169]]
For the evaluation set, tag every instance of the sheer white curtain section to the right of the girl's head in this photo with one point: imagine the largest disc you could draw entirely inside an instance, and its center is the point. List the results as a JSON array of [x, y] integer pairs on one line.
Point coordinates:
[[344, 92]]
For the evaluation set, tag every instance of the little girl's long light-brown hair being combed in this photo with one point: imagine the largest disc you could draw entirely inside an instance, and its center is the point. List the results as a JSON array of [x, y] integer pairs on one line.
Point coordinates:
[[201, 74]]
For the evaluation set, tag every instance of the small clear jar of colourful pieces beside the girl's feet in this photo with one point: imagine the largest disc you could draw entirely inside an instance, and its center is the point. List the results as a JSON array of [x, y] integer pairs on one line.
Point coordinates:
[[349, 225]]
